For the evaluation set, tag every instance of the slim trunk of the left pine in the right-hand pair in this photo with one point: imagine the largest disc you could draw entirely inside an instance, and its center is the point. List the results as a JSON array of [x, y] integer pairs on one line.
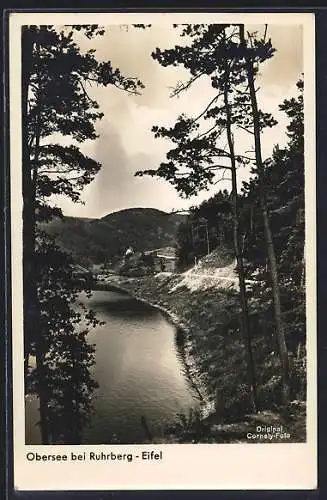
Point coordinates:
[[245, 323]]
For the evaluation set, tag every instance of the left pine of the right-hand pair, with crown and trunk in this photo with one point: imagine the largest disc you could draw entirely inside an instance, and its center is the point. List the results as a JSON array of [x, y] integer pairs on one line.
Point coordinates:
[[215, 52]]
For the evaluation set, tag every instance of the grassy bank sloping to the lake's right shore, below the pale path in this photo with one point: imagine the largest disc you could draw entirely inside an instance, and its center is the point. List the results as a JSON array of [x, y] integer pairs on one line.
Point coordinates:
[[205, 305]]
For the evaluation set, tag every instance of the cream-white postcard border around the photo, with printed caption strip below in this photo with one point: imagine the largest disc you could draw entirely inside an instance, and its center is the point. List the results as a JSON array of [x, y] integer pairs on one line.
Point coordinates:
[[200, 466]]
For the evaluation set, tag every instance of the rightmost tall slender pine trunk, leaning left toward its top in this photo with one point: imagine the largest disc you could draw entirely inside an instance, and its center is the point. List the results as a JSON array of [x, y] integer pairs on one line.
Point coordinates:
[[280, 334]]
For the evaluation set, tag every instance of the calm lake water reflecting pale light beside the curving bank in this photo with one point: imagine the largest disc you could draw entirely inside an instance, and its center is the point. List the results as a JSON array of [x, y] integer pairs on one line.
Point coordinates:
[[139, 371]]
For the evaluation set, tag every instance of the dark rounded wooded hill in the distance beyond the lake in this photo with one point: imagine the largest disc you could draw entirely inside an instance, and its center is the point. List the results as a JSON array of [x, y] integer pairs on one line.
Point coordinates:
[[93, 241]]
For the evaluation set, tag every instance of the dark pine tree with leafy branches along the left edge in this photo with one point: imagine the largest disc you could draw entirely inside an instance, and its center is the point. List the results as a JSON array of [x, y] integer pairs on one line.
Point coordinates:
[[55, 100]]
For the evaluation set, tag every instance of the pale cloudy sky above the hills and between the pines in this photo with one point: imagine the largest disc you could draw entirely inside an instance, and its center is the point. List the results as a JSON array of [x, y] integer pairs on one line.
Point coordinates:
[[126, 143]]
